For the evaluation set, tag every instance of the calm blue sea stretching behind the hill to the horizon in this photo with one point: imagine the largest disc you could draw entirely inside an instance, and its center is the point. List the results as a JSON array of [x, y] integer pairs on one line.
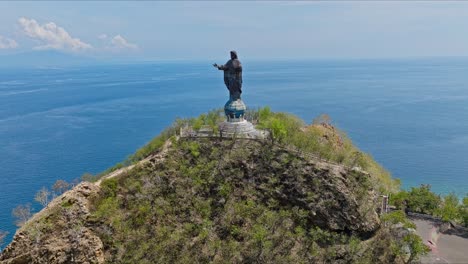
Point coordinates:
[[57, 123]]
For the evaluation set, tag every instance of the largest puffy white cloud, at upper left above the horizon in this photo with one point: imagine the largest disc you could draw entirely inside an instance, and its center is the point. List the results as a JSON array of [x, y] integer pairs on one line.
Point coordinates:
[[52, 36]]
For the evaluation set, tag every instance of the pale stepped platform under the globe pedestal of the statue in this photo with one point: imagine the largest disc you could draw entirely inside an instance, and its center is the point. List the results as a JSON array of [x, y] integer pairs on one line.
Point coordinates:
[[241, 129]]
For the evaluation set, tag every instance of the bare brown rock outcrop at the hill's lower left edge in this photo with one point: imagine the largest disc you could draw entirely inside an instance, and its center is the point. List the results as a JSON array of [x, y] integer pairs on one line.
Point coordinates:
[[60, 233]]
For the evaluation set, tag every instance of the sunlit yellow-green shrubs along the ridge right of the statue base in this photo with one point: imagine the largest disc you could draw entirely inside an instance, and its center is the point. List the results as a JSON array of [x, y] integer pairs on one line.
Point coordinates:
[[324, 140]]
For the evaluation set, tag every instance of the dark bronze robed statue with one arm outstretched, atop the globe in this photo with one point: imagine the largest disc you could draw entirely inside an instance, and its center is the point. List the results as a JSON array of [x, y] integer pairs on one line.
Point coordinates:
[[232, 76]]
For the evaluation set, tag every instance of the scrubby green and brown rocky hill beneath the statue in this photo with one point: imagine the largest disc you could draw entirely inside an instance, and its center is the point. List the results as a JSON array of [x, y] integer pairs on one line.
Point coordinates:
[[307, 195]]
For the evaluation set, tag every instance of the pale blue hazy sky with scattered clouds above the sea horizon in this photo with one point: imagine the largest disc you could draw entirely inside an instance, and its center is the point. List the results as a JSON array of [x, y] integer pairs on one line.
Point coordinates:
[[197, 30]]
